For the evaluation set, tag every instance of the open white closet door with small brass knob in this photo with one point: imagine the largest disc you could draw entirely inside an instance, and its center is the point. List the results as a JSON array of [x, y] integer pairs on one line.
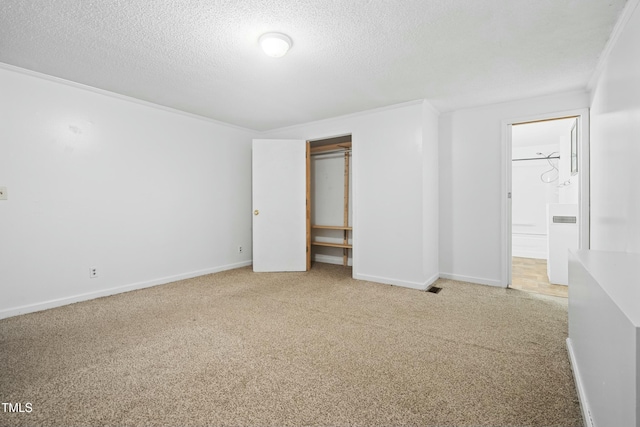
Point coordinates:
[[279, 205]]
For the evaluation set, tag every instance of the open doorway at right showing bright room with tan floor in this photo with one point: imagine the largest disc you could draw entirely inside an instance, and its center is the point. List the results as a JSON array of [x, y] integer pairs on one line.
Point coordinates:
[[546, 201]]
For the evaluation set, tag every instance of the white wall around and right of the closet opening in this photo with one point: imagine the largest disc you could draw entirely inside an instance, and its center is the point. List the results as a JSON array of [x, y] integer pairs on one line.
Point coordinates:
[[389, 218]]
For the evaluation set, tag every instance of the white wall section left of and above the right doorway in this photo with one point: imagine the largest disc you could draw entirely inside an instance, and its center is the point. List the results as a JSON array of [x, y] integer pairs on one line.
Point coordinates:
[[471, 185]]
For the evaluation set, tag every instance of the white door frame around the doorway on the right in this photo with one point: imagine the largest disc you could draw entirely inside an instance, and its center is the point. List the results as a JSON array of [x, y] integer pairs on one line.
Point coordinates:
[[584, 221]]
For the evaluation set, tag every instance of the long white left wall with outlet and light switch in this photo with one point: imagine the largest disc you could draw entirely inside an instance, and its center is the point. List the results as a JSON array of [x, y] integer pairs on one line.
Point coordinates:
[[144, 194]]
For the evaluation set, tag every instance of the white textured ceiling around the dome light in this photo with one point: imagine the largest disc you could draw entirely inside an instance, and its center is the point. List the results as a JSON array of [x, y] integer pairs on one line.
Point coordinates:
[[203, 57]]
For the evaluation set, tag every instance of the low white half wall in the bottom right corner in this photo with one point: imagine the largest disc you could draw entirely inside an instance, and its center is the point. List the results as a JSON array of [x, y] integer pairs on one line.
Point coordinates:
[[604, 335]]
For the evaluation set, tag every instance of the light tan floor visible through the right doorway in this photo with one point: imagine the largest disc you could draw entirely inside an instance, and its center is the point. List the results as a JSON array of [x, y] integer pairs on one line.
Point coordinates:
[[530, 274]]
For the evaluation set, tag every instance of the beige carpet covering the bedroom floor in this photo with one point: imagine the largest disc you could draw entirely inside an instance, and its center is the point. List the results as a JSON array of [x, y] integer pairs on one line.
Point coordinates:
[[239, 348]]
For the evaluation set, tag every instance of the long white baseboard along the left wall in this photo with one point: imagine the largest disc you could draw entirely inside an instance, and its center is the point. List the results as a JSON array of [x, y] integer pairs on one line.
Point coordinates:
[[45, 305]]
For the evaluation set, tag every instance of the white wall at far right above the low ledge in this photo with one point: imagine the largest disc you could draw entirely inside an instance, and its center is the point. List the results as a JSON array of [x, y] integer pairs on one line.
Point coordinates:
[[615, 146]]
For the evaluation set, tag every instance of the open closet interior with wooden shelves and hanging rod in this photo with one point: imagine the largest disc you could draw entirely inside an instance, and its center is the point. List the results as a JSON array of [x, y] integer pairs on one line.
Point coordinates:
[[330, 201]]
